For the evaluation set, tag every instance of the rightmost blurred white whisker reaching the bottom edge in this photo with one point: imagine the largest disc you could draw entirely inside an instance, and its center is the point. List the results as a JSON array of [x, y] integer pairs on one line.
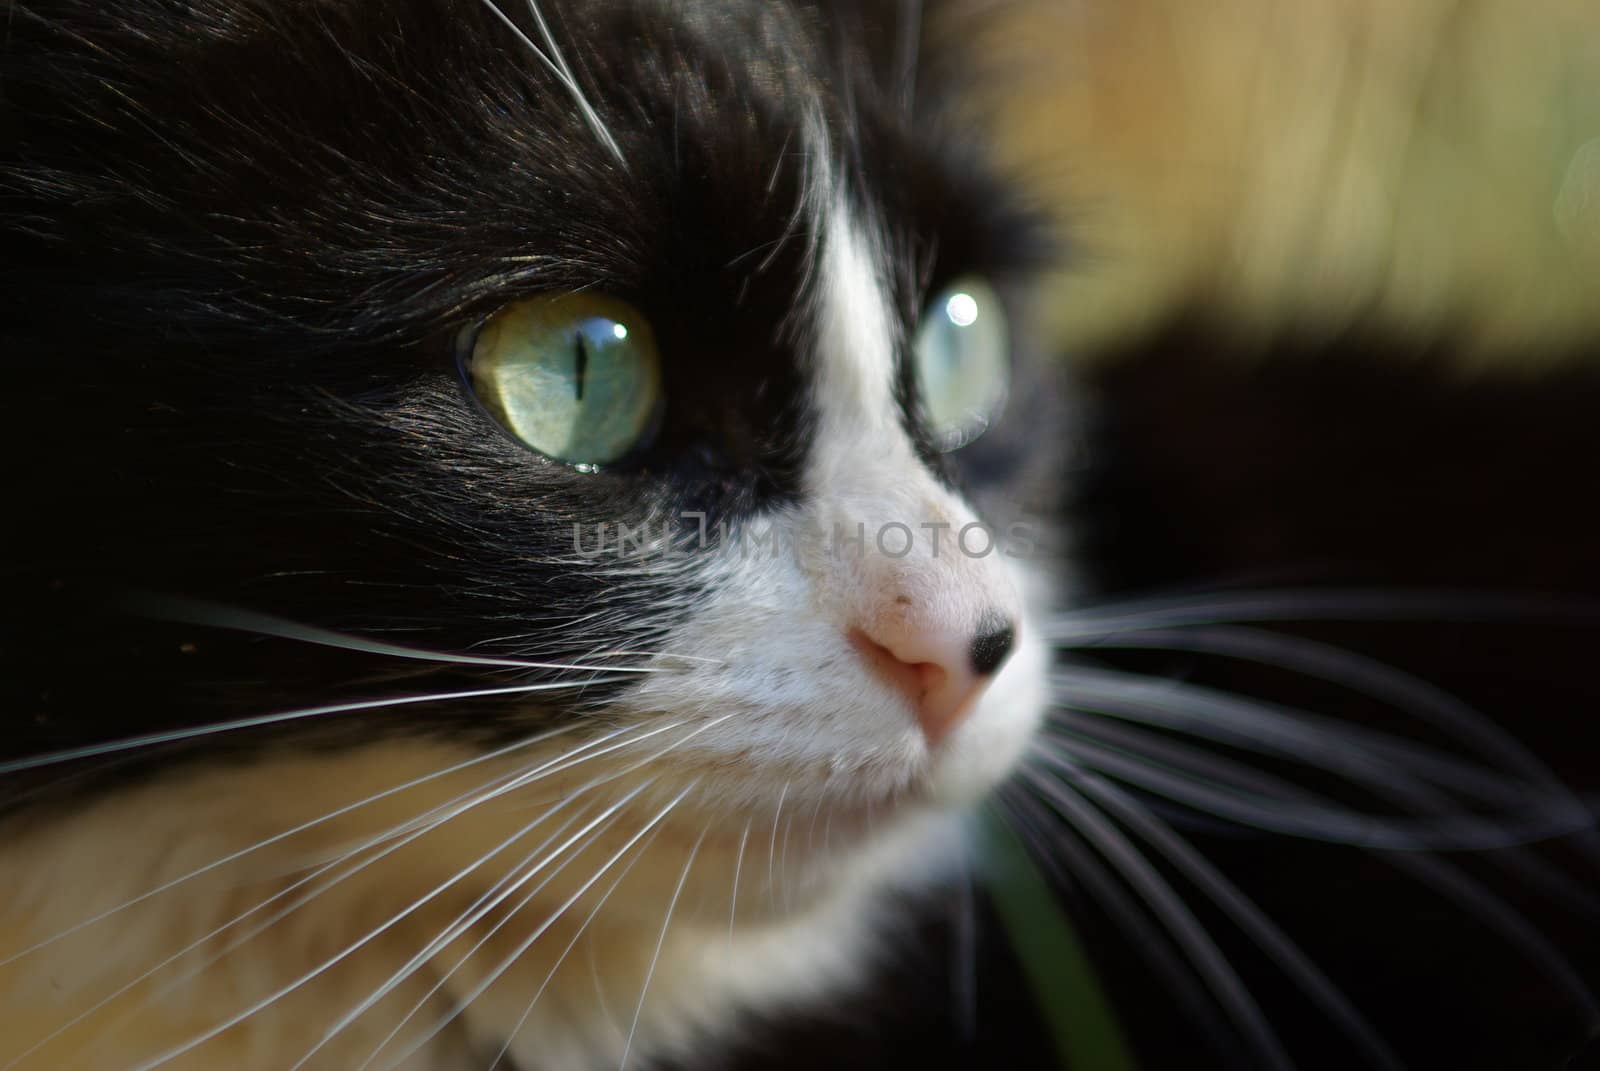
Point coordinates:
[[1266, 934]]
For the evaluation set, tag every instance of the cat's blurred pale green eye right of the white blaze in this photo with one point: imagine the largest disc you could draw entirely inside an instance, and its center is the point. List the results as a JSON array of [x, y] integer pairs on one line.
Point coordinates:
[[964, 361]]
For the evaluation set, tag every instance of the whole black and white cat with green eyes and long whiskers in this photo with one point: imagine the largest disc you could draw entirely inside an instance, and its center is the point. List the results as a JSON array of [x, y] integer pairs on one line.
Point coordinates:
[[532, 532]]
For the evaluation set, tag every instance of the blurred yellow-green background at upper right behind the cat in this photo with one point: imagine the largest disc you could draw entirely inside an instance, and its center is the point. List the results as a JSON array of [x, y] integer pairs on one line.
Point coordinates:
[[1420, 164]]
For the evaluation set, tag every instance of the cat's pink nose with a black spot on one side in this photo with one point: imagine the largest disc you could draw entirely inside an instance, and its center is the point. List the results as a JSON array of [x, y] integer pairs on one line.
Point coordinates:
[[940, 672]]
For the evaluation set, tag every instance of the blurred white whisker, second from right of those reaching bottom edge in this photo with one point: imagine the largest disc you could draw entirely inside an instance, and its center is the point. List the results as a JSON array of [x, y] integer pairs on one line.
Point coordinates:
[[1170, 910]]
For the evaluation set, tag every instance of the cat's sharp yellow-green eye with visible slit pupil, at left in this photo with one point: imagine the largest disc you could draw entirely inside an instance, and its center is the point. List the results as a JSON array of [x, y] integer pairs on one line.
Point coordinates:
[[575, 375]]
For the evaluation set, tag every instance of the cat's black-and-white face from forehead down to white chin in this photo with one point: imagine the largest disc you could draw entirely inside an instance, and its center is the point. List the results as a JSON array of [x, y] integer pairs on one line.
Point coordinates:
[[271, 303]]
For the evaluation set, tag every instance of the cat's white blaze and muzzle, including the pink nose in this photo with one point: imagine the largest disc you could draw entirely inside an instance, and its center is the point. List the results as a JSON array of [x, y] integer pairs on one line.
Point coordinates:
[[828, 654]]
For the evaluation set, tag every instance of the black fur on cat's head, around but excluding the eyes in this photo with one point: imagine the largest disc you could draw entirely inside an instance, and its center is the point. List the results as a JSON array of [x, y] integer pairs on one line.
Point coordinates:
[[239, 243]]
